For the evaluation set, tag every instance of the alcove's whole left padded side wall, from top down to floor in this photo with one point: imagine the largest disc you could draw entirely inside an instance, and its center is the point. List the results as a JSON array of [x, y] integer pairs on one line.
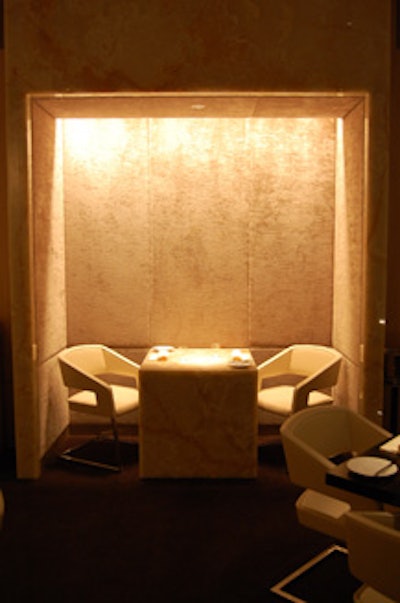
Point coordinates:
[[49, 274]]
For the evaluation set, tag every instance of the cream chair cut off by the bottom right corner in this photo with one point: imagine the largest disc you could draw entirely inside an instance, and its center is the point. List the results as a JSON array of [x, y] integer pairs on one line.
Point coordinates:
[[373, 541]]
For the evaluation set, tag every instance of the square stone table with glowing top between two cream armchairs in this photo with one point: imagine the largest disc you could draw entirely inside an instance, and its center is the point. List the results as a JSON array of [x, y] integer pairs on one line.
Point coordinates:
[[198, 414]]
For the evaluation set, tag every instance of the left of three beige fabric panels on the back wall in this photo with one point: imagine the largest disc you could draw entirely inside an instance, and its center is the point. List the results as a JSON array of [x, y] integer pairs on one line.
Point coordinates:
[[108, 236]]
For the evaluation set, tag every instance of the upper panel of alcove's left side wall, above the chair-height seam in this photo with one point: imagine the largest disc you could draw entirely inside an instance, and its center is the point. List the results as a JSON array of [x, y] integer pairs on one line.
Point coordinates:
[[49, 244]]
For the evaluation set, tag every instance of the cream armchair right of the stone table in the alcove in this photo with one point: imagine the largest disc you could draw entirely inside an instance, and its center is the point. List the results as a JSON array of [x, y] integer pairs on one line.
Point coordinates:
[[316, 368]]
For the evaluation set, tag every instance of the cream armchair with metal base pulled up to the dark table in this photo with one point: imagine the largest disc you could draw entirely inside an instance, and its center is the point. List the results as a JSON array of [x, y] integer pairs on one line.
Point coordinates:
[[311, 438]]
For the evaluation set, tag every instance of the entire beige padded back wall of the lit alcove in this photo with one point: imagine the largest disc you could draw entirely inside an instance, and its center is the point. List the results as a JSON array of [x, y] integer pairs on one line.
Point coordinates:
[[197, 231]]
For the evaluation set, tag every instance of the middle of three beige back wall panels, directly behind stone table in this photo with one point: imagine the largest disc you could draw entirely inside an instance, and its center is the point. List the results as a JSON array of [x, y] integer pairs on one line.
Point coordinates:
[[200, 212]]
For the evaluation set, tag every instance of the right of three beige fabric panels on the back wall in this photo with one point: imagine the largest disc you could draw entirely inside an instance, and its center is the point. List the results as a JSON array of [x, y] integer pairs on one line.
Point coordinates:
[[292, 233]]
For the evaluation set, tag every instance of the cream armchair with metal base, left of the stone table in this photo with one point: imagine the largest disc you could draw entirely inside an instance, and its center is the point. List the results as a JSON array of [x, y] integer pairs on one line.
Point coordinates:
[[96, 372]]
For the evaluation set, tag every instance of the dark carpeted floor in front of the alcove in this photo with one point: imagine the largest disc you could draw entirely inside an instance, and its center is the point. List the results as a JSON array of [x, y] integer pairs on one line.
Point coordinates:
[[82, 535]]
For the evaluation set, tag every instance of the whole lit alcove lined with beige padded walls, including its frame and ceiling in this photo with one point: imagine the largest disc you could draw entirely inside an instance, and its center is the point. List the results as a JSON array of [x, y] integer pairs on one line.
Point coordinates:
[[195, 219]]
